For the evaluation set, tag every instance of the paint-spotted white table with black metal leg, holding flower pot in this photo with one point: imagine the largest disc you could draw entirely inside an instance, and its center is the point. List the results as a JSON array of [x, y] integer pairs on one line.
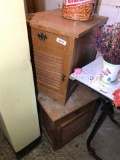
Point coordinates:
[[90, 77]]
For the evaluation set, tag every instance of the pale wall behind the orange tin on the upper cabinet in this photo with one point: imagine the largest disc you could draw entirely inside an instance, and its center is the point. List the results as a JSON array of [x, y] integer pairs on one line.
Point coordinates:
[[110, 8]]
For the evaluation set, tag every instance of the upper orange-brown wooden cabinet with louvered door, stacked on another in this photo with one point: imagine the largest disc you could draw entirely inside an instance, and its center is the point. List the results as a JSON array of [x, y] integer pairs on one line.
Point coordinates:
[[60, 45]]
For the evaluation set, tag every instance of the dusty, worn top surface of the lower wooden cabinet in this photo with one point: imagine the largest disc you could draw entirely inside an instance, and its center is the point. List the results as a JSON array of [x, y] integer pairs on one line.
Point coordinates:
[[79, 99]]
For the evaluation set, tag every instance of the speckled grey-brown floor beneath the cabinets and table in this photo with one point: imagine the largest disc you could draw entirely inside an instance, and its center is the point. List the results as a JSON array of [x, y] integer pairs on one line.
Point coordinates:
[[106, 144]]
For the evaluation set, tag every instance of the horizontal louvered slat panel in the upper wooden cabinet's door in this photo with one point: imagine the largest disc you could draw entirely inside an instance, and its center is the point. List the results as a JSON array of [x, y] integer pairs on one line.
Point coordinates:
[[48, 69]]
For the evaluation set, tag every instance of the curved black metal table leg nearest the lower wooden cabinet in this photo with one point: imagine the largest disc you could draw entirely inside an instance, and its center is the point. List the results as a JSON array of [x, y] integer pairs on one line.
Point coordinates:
[[102, 117]]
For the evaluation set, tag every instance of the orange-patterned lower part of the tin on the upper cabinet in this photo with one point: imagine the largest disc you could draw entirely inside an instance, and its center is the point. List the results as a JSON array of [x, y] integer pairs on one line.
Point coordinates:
[[80, 13]]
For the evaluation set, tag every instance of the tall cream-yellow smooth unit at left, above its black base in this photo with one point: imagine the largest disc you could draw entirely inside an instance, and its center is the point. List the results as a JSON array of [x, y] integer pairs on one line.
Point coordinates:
[[18, 111]]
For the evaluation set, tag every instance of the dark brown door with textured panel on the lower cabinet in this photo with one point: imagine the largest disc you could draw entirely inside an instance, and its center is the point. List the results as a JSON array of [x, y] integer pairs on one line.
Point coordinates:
[[78, 123]]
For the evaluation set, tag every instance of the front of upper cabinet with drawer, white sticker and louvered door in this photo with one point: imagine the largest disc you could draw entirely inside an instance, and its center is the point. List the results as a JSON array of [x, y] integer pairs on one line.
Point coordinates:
[[51, 60]]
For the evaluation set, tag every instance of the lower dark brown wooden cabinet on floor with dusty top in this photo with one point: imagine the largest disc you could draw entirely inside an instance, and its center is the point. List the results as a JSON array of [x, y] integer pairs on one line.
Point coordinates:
[[62, 123]]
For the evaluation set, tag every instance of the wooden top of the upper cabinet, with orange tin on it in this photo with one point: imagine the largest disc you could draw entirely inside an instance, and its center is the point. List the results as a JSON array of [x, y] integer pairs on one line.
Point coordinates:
[[52, 21]]
